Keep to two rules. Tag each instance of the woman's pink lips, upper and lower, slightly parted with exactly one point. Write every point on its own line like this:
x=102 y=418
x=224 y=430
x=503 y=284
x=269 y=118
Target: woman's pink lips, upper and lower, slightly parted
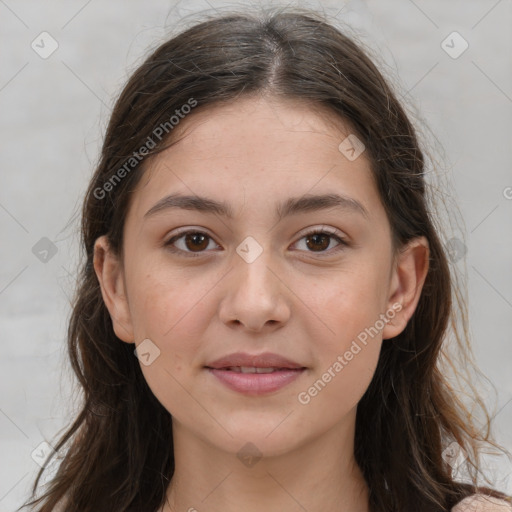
x=255 y=374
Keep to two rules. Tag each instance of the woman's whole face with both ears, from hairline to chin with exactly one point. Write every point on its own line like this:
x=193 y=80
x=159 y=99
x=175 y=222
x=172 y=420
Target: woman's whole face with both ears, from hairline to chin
x=204 y=283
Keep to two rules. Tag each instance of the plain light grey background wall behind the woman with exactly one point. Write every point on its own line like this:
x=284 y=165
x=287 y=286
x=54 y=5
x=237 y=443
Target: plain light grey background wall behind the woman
x=53 y=113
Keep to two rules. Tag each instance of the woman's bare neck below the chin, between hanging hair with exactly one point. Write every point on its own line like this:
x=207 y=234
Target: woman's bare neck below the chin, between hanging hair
x=320 y=475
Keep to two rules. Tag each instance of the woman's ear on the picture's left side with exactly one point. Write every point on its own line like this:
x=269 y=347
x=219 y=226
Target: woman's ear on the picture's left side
x=109 y=271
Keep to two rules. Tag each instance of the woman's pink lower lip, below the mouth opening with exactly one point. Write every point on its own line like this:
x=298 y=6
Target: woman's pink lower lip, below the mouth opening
x=256 y=383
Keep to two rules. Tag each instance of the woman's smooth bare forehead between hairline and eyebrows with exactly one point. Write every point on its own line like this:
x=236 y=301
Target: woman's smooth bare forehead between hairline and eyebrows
x=259 y=151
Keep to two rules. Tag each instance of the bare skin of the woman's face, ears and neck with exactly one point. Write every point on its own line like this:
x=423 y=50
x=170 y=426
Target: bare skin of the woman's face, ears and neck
x=306 y=300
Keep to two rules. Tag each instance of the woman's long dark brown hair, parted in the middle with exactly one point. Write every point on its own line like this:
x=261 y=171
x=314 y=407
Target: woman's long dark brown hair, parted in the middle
x=118 y=450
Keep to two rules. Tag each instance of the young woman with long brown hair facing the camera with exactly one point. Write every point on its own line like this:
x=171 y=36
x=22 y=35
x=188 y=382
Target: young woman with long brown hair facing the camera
x=260 y=315
